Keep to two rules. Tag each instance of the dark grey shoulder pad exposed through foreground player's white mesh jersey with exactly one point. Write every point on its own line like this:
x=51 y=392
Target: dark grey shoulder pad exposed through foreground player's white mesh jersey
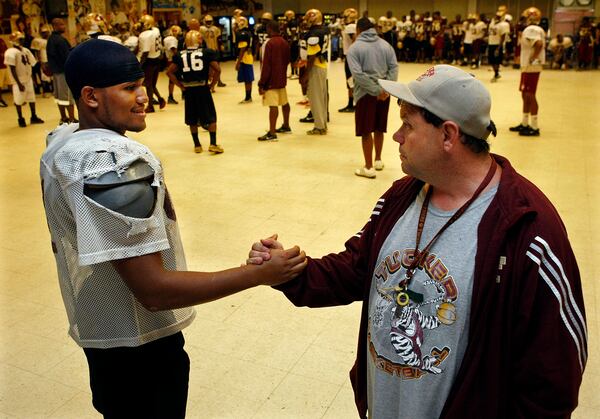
x=130 y=193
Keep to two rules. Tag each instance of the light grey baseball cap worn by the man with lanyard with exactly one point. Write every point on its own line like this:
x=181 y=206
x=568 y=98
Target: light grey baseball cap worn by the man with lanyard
x=452 y=95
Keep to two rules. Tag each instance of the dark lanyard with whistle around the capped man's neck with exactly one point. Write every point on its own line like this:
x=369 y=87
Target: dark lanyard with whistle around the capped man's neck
x=402 y=298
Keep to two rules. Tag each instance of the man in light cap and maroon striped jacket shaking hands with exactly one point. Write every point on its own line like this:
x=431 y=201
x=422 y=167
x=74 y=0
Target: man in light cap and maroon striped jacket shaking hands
x=472 y=300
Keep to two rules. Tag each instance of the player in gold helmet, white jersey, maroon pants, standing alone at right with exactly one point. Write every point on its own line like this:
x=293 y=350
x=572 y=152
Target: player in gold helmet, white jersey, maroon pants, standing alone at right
x=532 y=60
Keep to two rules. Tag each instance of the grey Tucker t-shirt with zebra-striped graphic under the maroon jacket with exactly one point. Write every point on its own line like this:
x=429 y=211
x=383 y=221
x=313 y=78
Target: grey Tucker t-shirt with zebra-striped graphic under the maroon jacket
x=415 y=351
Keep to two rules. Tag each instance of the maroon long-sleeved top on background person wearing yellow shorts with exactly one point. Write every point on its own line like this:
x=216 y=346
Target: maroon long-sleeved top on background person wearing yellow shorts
x=273 y=74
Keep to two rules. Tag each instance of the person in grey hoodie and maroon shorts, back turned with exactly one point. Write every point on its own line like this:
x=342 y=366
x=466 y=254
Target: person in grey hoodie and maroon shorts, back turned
x=371 y=58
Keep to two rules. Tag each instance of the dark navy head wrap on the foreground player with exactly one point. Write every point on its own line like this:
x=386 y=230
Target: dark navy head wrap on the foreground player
x=100 y=63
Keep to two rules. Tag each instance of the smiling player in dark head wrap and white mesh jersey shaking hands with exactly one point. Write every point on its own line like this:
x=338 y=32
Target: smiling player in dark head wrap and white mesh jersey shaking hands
x=116 y=242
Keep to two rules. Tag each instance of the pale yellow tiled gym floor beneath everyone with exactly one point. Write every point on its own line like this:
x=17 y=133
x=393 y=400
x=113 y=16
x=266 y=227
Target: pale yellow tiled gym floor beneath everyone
x=253 y=354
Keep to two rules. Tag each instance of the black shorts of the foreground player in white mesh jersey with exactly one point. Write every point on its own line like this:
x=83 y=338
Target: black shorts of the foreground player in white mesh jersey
x=148 y=381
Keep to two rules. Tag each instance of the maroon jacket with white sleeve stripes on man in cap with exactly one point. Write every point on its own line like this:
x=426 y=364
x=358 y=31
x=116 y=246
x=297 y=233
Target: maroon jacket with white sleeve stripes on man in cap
x=527 y=335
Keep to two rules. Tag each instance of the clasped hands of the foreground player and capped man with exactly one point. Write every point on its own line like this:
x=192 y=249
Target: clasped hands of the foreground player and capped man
x=278 y=265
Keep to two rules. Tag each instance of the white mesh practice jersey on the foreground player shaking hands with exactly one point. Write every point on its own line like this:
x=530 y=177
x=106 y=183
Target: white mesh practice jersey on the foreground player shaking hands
x=86 y=237
